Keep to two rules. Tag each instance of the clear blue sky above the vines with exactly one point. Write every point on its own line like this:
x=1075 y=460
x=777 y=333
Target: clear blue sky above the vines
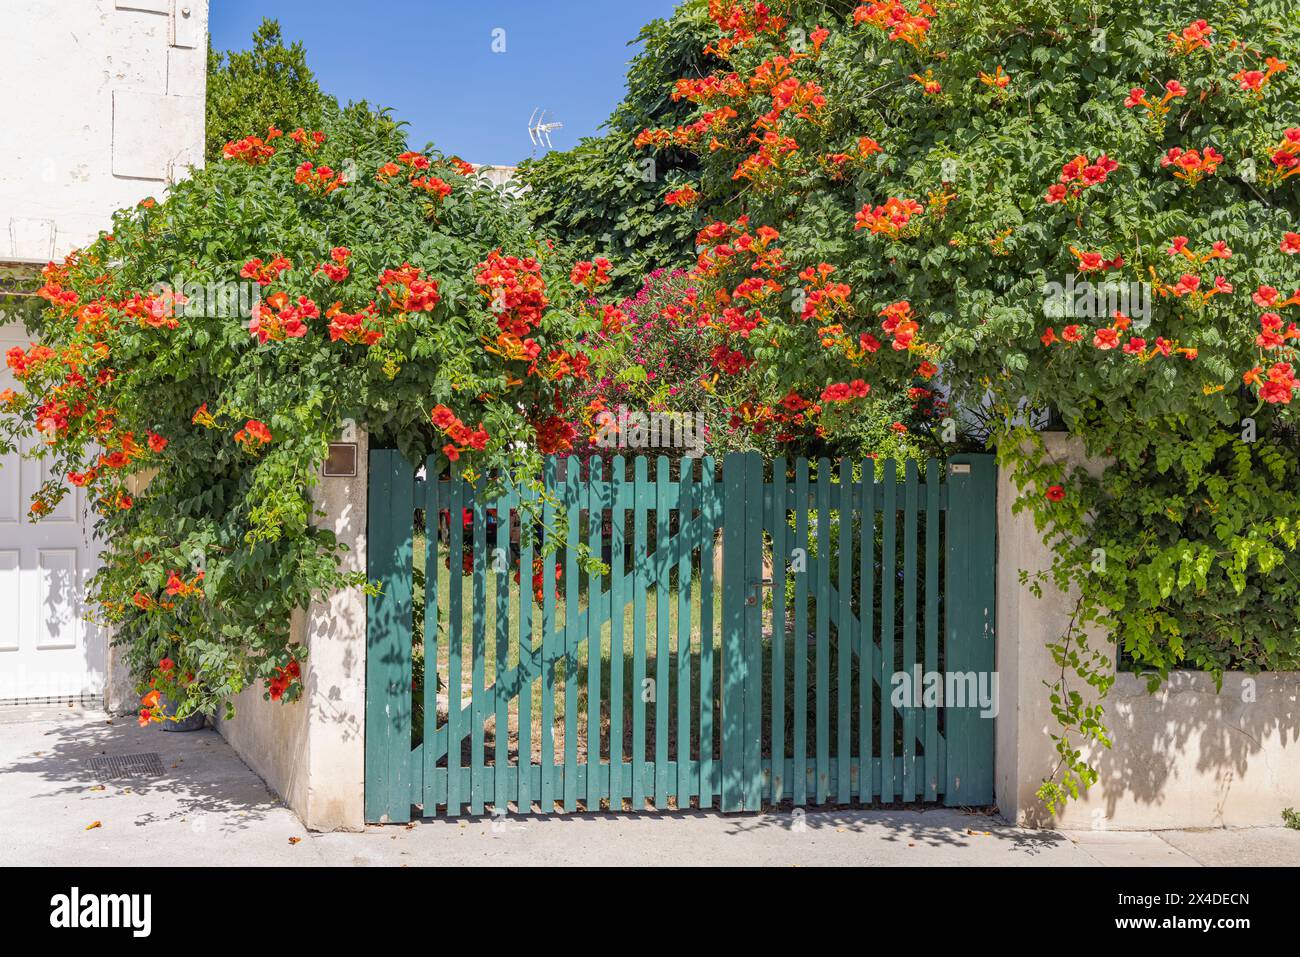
x=432 y=62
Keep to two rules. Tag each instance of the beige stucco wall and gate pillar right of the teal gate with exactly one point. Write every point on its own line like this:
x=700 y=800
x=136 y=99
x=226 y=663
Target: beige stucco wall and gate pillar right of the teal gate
x=1185 y=757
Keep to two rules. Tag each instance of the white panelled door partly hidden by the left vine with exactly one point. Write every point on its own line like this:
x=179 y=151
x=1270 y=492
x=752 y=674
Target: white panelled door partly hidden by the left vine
x=47 y=649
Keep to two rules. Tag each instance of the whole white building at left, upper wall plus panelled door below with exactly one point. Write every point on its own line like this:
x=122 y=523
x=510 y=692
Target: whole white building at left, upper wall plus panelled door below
x=102 y=105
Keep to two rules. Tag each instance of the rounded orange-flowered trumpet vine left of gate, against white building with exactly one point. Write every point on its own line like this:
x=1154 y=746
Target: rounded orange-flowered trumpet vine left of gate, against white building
x=196 y=362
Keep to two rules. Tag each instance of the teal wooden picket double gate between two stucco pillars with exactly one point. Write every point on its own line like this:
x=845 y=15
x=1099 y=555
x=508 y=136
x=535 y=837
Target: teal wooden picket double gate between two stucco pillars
x=723 y=639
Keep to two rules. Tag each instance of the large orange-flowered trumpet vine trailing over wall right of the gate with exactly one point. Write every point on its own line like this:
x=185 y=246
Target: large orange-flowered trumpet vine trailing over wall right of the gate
x=1080 y=209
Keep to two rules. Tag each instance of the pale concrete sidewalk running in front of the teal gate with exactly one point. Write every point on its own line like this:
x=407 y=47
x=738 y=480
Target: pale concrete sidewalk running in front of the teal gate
x=209 y=809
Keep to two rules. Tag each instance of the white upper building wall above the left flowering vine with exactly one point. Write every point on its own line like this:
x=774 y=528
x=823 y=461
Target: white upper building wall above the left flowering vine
x=102 y=105
